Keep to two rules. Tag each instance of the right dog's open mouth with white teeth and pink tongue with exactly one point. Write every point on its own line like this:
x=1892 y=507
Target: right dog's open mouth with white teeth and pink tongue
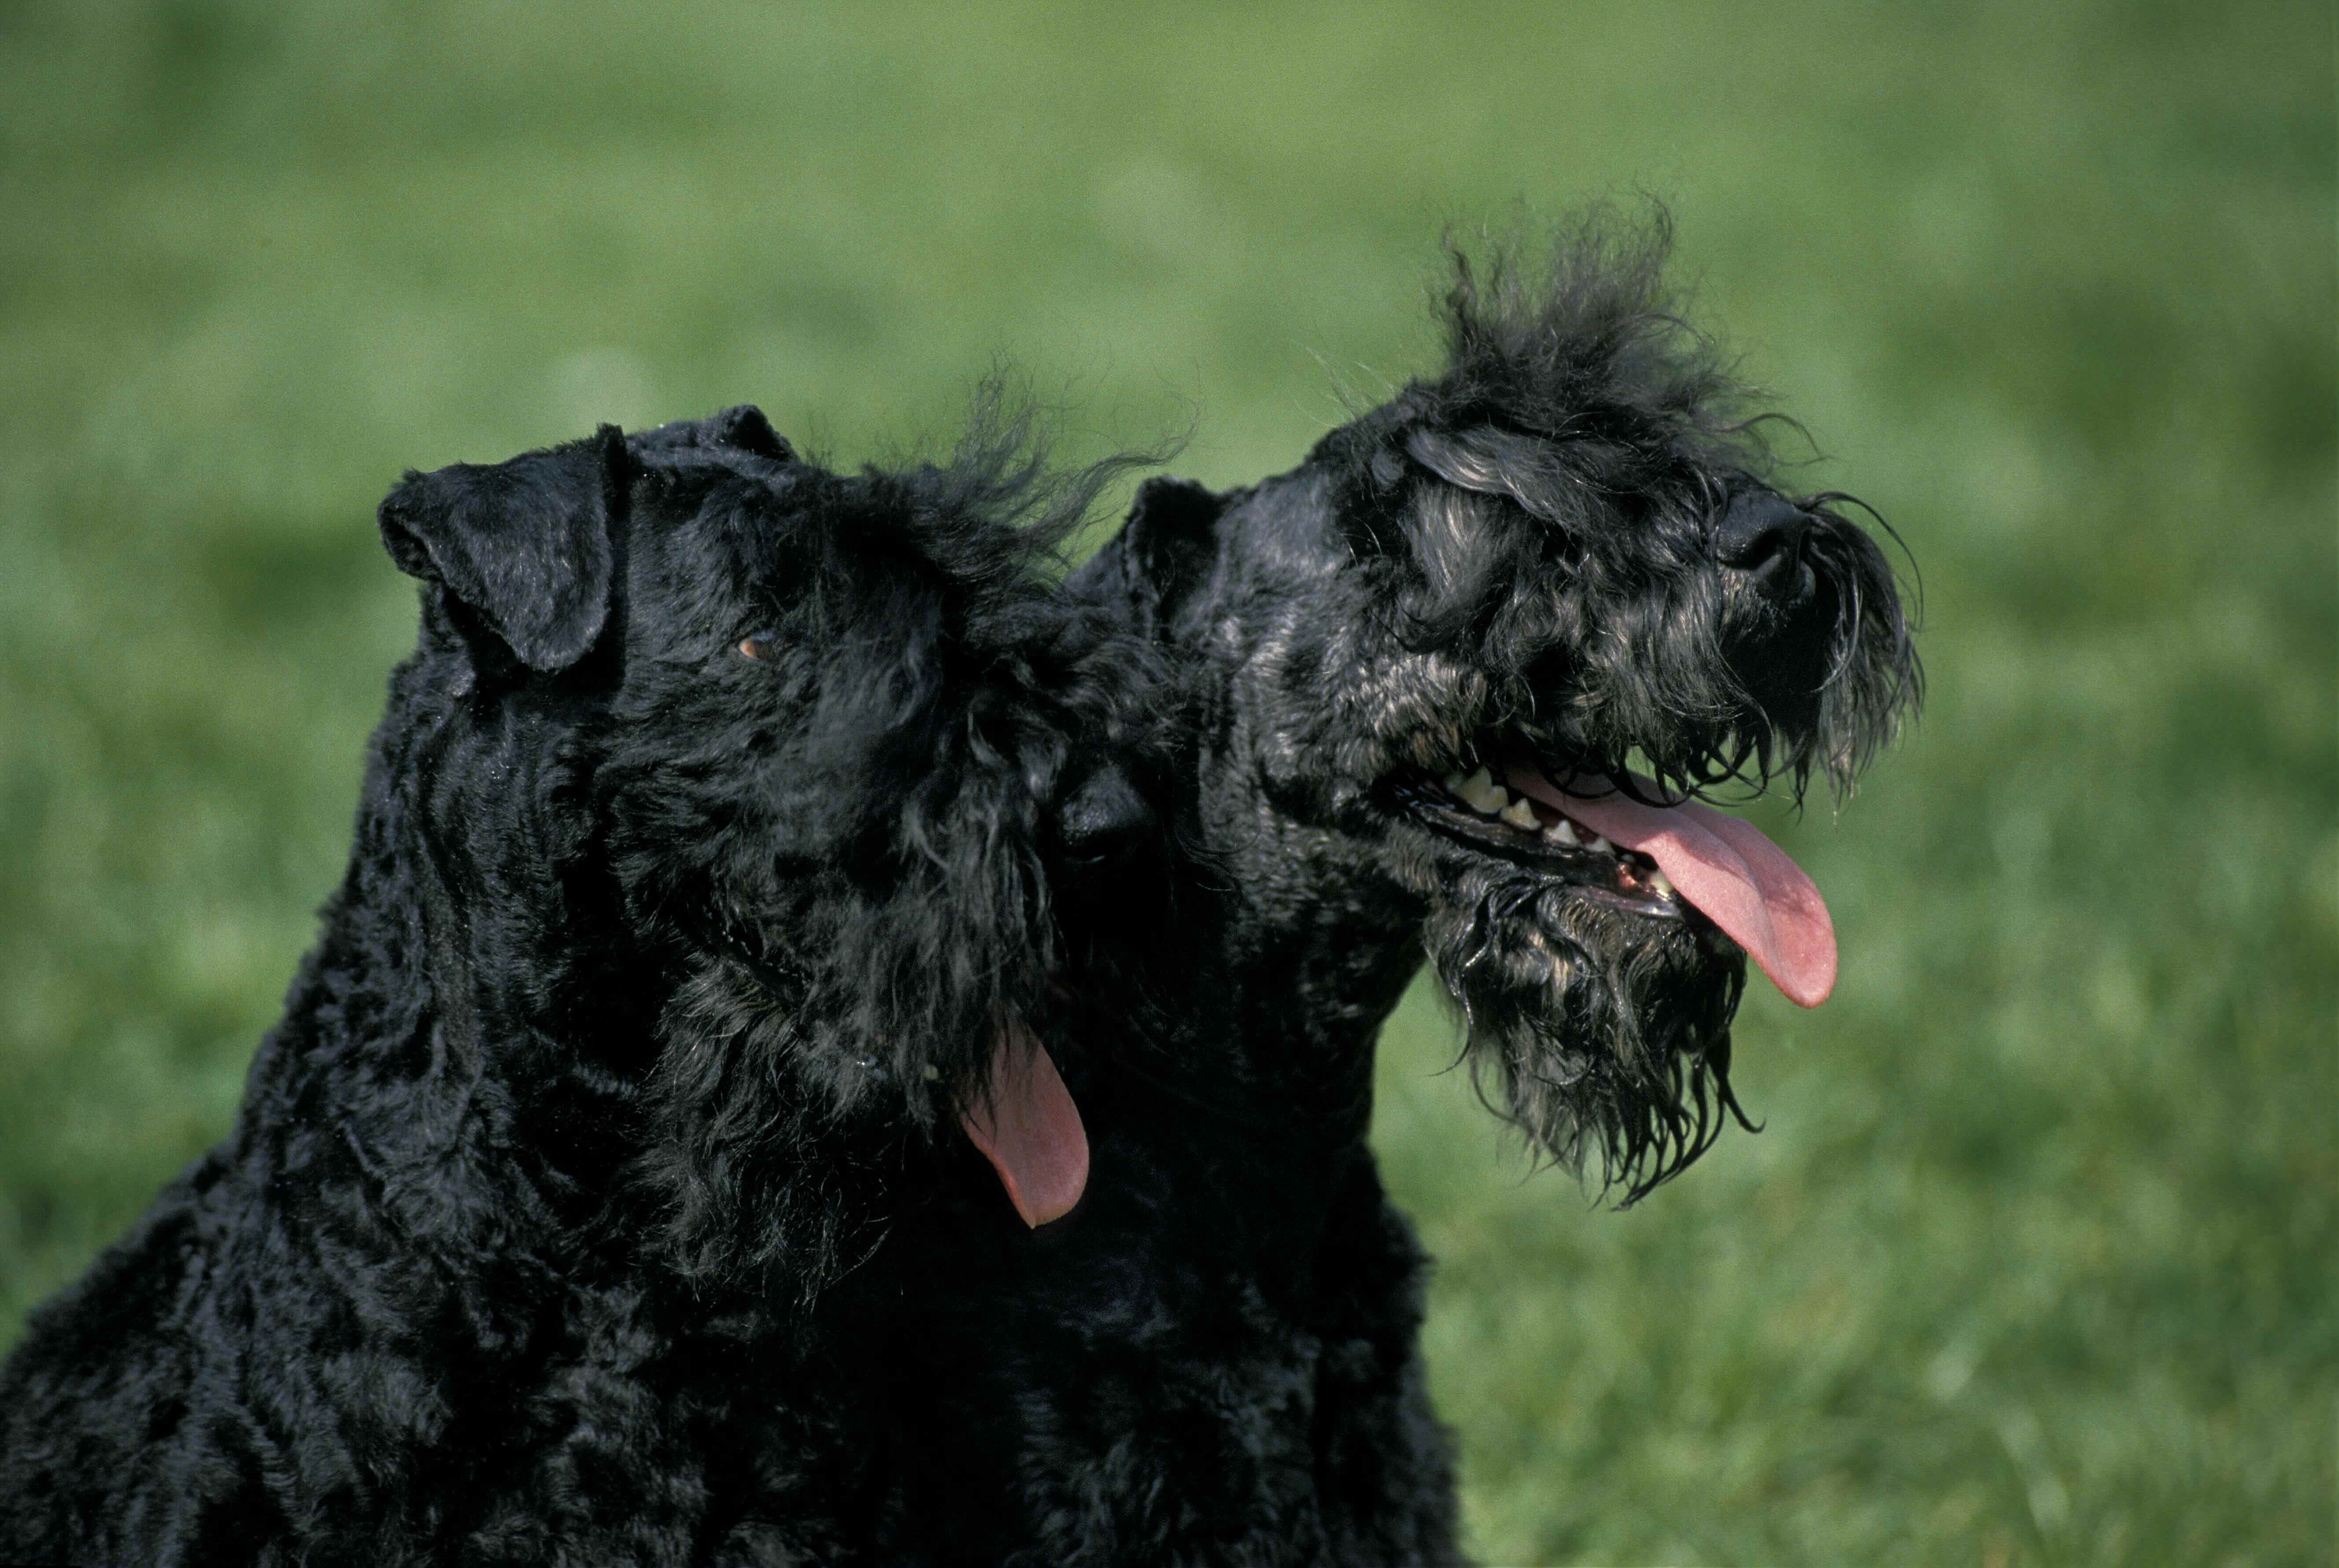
x=1650 y=860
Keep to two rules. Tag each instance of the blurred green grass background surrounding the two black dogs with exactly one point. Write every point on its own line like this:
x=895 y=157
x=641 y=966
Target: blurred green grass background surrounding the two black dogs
x=2038 y=1260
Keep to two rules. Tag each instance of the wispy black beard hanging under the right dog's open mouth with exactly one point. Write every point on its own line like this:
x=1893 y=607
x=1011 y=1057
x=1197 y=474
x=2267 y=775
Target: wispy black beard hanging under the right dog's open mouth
x=1601 y=1036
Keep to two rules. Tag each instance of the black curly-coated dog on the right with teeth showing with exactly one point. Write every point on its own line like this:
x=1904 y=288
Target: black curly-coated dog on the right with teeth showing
x=1451 y=687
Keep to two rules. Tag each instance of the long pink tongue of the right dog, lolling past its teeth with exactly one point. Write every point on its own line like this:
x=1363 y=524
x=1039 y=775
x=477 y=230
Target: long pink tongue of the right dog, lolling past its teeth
x=1744 y=883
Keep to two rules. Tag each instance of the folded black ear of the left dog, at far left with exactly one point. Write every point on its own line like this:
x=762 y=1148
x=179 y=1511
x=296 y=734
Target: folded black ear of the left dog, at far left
x=523 y=544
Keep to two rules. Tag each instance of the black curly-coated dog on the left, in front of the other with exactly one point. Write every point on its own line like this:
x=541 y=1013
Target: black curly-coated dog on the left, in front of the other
x=712 y=853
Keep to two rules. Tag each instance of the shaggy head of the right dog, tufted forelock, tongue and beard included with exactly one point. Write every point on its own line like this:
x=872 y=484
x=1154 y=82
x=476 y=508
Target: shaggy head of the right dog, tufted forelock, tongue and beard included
x=1489 y=645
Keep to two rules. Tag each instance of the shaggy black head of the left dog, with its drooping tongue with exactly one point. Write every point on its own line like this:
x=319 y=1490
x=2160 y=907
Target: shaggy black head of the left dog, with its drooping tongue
x=792 y=773
